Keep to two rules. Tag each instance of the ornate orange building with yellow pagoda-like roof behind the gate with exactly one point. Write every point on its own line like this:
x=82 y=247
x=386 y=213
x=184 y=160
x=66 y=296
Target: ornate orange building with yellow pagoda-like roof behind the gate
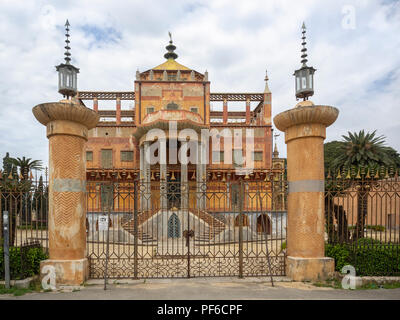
x=173 y=108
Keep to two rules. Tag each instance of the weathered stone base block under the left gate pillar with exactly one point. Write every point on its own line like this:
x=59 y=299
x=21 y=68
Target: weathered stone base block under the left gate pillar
x=68 y=272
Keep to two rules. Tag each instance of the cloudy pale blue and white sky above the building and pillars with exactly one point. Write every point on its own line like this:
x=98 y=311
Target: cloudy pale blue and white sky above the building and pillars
x=354 y=45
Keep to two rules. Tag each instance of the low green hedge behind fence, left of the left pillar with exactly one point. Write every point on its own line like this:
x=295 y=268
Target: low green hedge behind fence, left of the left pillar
x=23 y=264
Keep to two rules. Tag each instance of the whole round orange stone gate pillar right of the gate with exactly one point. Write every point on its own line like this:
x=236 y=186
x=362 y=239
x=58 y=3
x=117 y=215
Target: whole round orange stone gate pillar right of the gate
x=305 y=131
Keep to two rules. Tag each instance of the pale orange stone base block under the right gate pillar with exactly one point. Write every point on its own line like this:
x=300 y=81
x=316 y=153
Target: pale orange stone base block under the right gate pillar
x=309 y=269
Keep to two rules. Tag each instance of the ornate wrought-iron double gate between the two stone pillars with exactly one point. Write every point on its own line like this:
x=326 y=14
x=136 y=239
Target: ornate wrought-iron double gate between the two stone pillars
x=235 y=228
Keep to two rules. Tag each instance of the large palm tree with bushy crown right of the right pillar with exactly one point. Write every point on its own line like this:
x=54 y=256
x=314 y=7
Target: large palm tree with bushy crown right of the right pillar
x=363 y=152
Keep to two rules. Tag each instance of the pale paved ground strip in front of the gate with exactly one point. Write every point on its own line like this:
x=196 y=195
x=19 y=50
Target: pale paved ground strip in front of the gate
x=208 y=289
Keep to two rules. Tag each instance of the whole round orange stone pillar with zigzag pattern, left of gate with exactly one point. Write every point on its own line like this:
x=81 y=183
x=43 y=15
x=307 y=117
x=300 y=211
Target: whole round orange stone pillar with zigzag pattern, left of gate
x=67 y=125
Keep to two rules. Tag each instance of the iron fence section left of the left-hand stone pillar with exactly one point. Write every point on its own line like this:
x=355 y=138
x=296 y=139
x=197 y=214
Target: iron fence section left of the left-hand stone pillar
x=26 y=202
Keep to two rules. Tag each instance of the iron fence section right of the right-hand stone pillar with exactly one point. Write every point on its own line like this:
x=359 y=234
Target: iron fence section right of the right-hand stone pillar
x=363 y=215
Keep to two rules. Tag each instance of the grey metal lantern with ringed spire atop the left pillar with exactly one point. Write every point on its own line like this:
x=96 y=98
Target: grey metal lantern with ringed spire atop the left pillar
x=67 y=73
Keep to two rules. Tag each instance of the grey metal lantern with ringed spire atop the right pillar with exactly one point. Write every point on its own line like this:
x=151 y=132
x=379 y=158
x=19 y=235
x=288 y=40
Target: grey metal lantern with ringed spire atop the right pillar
x=304 y=77
